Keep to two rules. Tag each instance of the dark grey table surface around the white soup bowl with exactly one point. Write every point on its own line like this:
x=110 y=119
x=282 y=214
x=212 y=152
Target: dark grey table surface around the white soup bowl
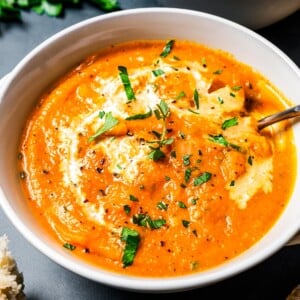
x=45 y=280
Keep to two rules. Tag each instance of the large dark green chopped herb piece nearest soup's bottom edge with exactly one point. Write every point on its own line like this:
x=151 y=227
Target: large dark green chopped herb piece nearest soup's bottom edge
x=132 y=239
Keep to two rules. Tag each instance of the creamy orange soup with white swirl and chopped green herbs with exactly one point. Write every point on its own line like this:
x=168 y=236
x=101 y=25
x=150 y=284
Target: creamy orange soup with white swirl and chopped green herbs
x=146 y=159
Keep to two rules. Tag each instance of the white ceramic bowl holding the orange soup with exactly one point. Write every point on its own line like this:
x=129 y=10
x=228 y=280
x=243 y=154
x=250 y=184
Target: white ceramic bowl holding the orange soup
x=57 y=55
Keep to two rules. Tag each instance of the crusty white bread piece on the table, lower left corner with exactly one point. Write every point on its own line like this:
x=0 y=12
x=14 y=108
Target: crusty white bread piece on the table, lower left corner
x=11 y=281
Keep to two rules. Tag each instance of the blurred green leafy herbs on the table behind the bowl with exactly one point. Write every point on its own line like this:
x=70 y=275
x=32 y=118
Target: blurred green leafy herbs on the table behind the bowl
x=10 y=10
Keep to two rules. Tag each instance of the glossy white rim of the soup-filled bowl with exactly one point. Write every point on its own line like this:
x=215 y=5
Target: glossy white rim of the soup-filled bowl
x=145 y=284
